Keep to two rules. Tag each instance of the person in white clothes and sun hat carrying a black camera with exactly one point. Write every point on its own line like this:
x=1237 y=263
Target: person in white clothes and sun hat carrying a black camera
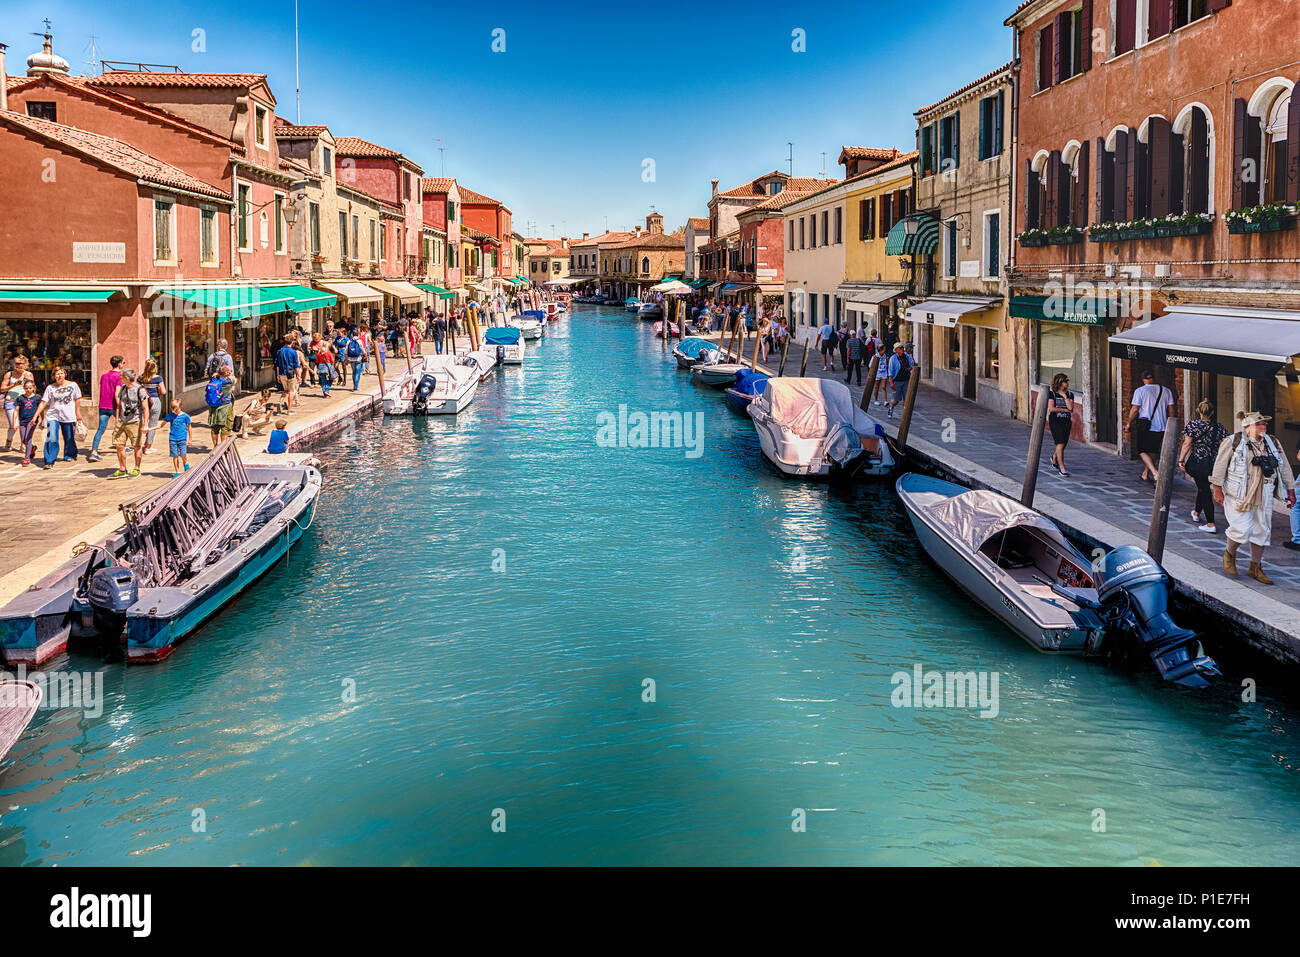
x=1250 y=473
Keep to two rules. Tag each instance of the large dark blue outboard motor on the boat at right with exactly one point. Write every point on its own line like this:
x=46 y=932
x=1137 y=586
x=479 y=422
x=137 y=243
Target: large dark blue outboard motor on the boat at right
x=1134 y=594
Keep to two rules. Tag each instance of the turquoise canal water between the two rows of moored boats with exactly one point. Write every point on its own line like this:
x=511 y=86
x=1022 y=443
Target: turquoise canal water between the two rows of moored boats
x=770 y=616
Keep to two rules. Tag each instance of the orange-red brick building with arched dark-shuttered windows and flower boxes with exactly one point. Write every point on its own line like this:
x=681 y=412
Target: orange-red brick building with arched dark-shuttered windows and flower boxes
x=1150 y=135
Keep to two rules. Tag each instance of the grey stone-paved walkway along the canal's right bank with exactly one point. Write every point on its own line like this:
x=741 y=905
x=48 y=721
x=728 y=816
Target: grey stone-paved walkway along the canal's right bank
x=1100 y=483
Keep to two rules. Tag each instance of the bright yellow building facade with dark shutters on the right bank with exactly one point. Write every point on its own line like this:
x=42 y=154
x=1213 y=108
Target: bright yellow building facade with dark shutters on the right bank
x=874 y=283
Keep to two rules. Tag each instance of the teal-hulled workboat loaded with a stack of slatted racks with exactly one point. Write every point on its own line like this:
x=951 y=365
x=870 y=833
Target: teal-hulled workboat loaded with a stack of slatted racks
x=188 y=549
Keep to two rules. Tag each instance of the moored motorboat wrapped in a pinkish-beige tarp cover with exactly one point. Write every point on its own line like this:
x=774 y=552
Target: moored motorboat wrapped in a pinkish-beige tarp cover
x=812 y=428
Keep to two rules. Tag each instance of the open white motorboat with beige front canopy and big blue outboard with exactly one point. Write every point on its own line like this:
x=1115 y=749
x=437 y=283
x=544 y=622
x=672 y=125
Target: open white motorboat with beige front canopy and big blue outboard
x=1019 y=565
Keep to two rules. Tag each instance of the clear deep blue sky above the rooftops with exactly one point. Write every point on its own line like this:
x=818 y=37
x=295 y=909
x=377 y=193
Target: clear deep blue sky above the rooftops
x=584 y=116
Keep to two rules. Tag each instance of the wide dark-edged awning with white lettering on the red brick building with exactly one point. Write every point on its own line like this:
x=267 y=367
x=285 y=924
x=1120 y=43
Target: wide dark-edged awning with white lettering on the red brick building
x=1247 y=344
